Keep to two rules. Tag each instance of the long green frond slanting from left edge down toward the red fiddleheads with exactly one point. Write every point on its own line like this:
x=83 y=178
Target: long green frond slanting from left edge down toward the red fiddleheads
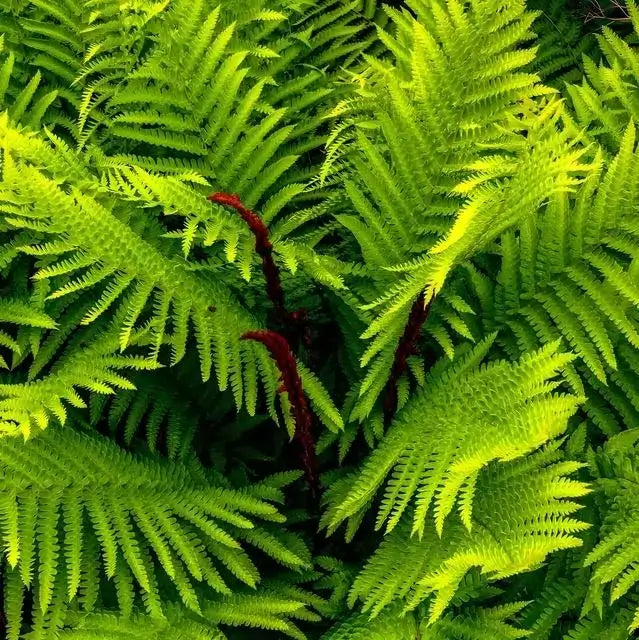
x=129 y=269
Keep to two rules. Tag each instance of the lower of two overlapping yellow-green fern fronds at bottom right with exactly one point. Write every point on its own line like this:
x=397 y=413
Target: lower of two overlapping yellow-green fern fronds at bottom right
x=506 y=538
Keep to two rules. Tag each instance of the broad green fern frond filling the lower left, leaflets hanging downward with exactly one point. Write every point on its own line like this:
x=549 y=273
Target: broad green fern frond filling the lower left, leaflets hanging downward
x=129 y=505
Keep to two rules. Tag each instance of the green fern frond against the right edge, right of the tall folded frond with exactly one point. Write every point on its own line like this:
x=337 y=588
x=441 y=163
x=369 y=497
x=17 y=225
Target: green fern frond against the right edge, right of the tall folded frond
x=572 y=275
